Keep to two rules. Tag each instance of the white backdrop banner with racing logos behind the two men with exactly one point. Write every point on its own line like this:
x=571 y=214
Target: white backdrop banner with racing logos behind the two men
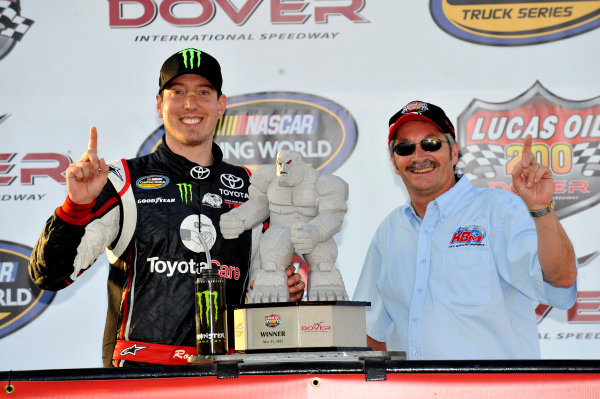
x=321 y=77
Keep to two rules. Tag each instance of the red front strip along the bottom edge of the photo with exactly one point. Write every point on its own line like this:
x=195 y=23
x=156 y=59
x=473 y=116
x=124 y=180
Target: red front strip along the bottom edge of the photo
x=328 y=386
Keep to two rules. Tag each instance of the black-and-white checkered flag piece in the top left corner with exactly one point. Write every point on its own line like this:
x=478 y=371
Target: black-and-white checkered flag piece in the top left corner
x=12 y=25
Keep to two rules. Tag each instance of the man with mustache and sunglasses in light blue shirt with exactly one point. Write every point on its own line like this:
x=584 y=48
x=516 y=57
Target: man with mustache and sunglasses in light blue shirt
x=457 y=271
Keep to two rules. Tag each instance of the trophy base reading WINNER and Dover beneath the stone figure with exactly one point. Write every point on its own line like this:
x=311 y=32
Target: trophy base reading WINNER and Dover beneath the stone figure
x=300 y=326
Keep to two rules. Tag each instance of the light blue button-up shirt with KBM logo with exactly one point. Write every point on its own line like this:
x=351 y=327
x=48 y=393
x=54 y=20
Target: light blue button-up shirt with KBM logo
x=462 y=283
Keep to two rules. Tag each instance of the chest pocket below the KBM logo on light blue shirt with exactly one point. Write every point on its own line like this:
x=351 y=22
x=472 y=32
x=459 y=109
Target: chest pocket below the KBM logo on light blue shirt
x=464 y=278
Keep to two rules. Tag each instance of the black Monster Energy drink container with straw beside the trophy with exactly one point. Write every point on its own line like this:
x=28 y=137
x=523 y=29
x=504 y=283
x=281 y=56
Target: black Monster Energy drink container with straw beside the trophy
x=211 y=314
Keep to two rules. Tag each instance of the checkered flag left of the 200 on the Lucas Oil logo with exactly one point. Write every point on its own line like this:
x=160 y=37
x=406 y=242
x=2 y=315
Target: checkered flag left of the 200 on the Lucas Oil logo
x=481 y=161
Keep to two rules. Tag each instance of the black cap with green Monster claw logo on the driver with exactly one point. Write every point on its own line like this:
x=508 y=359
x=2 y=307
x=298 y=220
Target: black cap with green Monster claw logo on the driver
x=193 y=61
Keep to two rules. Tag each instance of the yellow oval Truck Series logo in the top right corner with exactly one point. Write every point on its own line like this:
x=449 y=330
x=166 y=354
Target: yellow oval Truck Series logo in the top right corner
x=513 y=22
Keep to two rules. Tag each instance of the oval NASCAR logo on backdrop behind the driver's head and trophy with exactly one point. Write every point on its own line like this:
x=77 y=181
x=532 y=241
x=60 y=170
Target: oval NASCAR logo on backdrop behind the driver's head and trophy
x=256 y=127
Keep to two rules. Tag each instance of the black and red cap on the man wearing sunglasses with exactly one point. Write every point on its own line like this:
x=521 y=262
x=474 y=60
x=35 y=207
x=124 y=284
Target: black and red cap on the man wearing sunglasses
x=421 y=111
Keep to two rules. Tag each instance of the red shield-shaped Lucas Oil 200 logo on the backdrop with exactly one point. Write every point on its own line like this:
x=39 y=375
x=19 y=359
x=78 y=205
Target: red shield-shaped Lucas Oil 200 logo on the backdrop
x=566 y=139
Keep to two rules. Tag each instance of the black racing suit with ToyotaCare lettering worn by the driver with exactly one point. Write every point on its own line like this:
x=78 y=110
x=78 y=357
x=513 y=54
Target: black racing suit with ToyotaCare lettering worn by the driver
x=148 y=217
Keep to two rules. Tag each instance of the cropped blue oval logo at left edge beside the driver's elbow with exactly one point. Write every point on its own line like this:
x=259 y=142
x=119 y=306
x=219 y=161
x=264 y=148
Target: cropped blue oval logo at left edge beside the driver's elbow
x=21 y=301
